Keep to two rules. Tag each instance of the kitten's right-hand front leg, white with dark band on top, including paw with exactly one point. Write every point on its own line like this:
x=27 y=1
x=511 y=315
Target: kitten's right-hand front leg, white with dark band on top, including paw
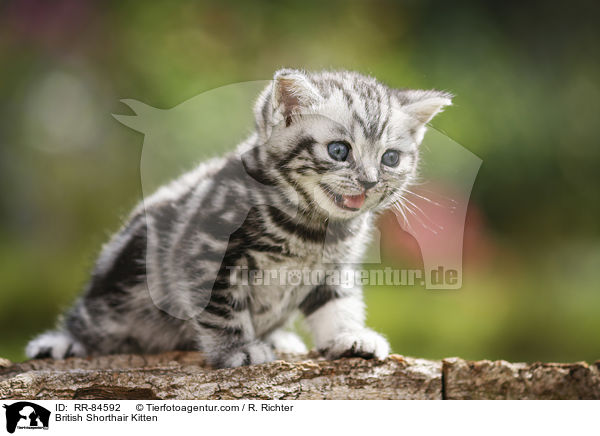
x=336 y=319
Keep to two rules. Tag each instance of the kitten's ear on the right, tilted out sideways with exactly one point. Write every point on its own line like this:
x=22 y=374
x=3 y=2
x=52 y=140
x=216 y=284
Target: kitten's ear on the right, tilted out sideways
x=422 y=106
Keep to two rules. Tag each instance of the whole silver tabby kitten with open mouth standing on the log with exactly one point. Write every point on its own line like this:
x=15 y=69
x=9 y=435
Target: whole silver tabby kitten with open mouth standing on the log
x=330 y=150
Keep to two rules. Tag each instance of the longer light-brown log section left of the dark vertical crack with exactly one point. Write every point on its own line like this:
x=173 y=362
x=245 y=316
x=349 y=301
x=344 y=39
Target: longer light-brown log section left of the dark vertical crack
x=183 y=375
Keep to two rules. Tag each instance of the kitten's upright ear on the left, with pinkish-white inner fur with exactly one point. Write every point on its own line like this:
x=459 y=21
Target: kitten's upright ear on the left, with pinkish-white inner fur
x=292 y=92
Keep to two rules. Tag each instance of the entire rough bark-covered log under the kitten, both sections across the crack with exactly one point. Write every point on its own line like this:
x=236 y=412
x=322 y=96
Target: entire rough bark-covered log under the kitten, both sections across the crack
x=183 y=375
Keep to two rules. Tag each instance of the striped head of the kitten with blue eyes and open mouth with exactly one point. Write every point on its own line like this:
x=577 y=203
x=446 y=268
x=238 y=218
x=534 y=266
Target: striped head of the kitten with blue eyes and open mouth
x=343 y=142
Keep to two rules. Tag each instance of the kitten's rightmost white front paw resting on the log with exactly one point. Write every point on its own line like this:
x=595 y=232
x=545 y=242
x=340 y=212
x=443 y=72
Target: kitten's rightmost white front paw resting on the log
x=363 y=343
